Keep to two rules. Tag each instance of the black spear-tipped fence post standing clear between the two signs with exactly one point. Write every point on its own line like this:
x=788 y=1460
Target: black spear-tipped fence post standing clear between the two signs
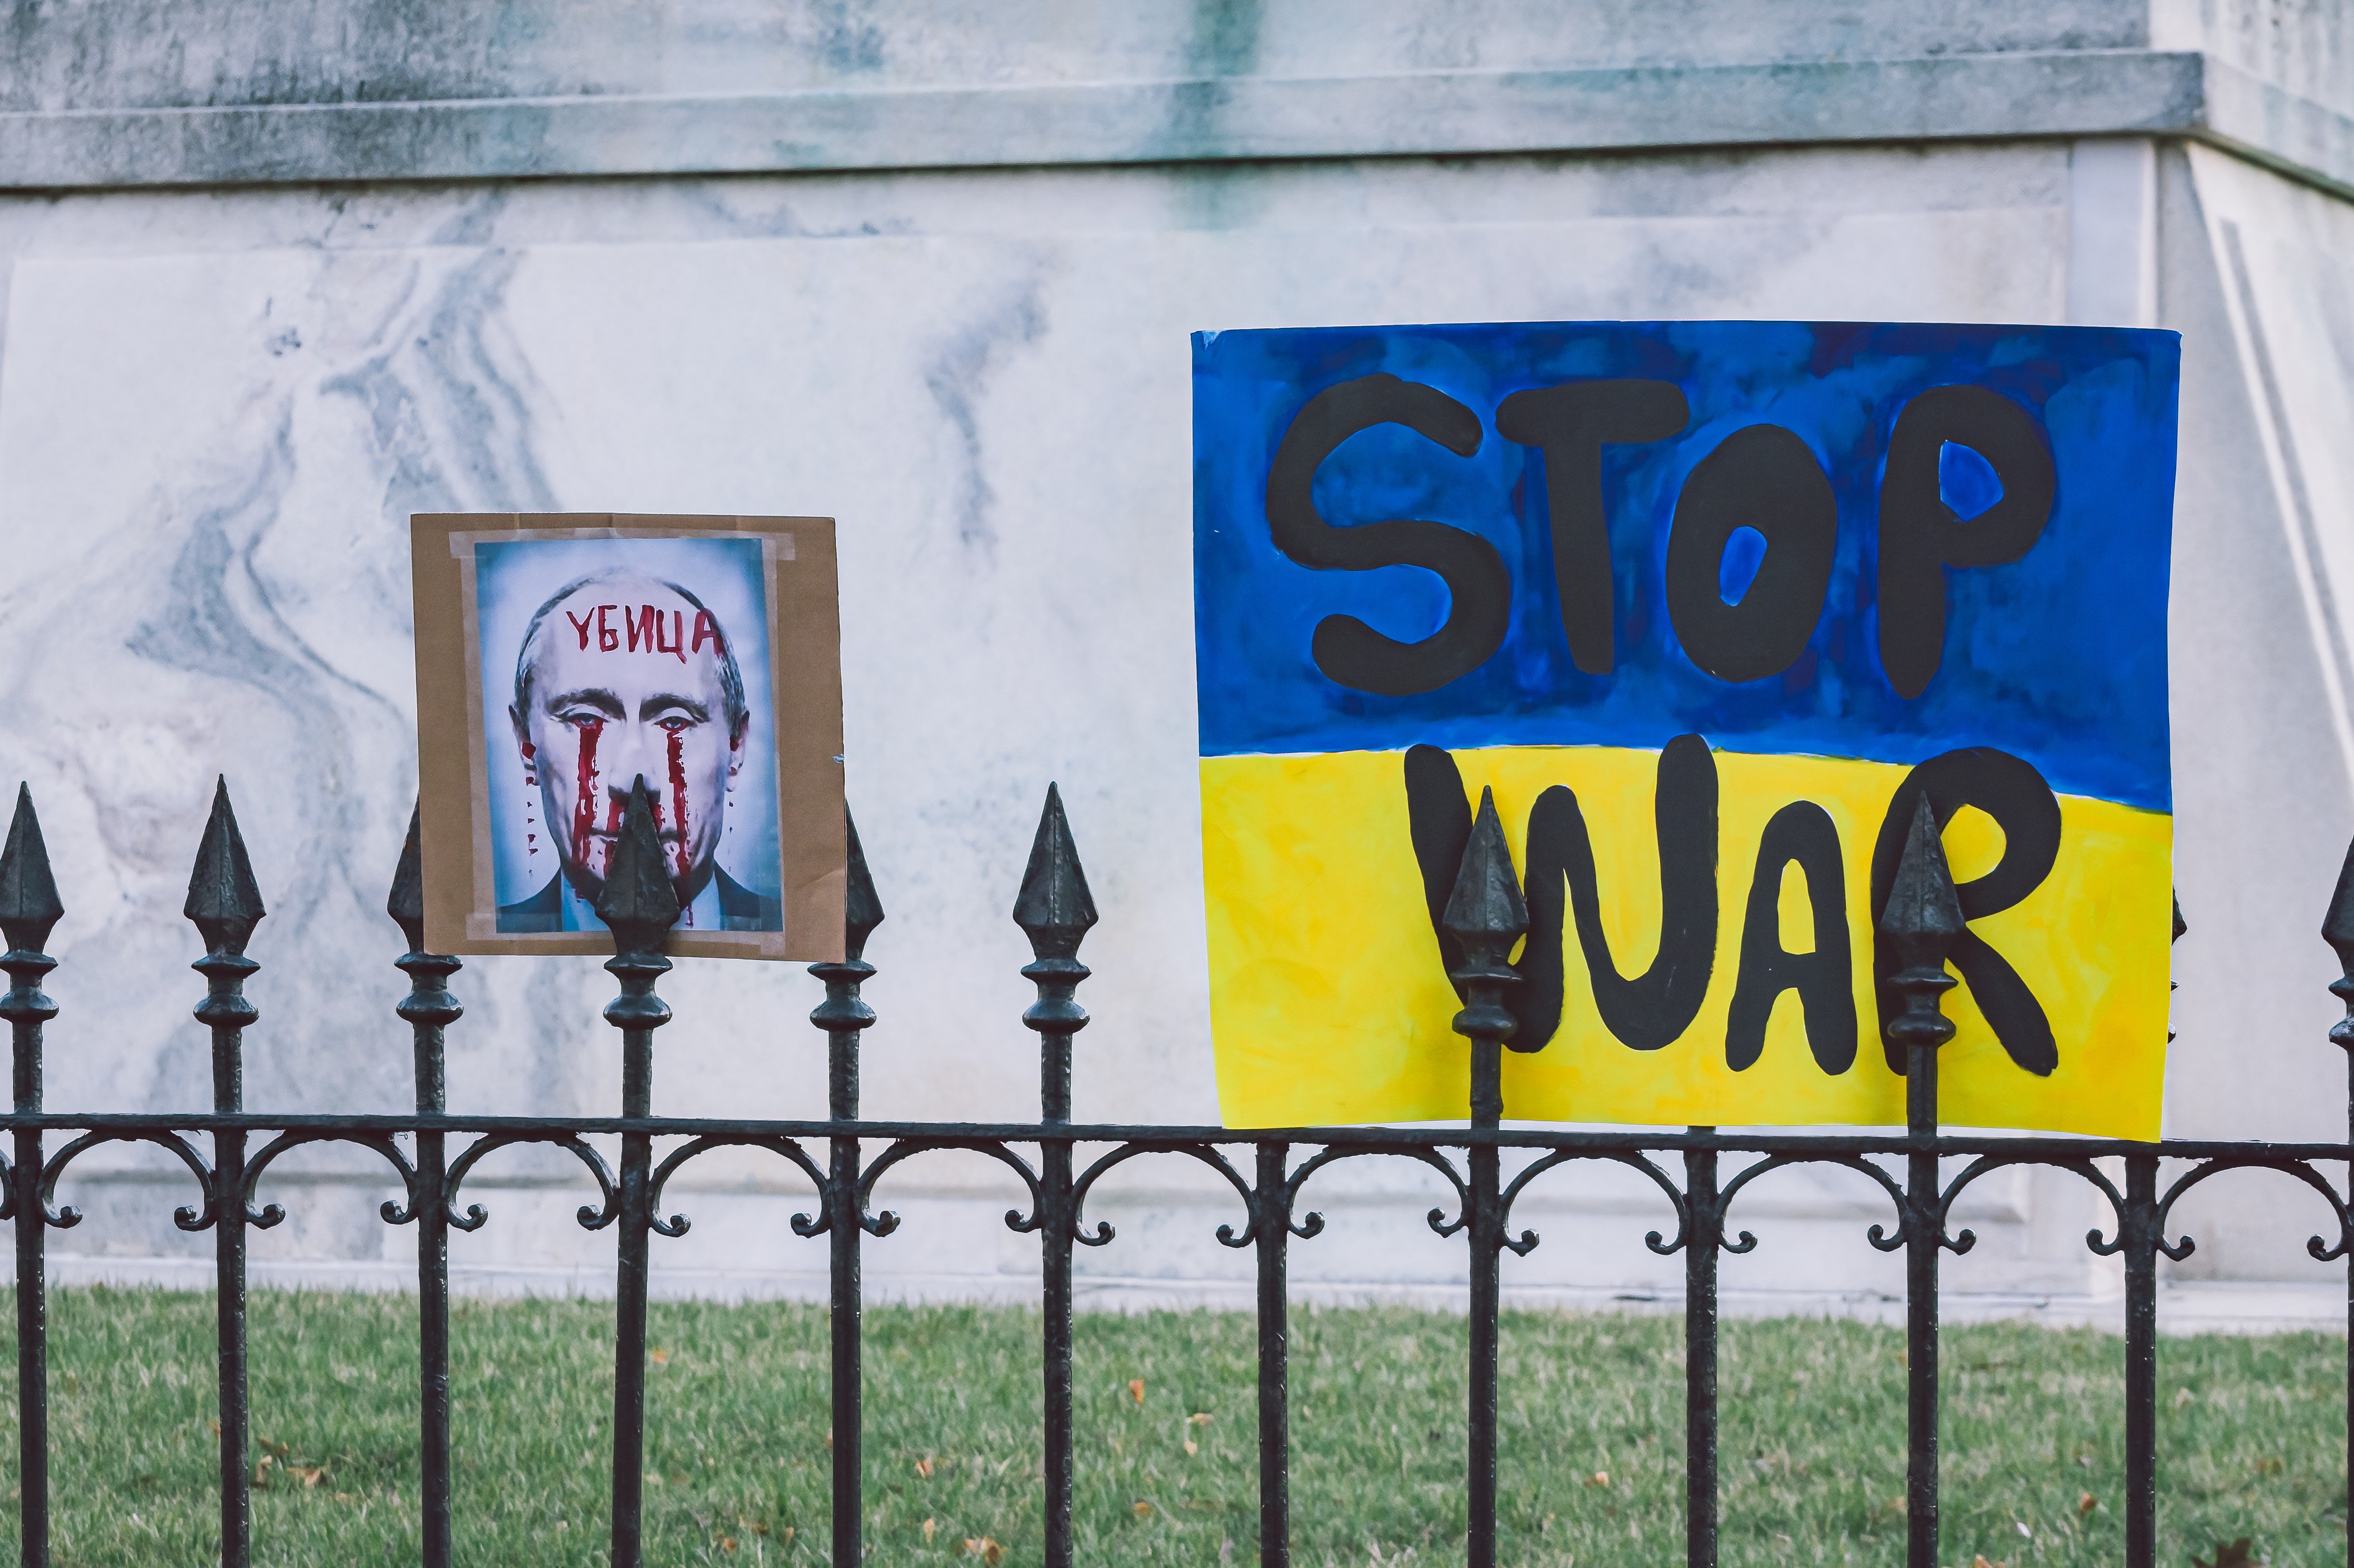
x=1056 y=912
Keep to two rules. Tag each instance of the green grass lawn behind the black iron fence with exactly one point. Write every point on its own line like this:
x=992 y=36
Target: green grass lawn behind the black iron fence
x=1814 y=1437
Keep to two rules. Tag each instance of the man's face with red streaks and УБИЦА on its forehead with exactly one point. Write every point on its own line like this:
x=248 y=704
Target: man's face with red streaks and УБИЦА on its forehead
x=625 y=686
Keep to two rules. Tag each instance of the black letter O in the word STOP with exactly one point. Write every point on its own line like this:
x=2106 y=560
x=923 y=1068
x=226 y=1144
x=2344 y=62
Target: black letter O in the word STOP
x=1760 y=477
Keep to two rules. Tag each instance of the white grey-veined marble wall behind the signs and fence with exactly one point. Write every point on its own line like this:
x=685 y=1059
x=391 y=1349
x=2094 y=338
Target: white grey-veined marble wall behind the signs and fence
x=220 y=408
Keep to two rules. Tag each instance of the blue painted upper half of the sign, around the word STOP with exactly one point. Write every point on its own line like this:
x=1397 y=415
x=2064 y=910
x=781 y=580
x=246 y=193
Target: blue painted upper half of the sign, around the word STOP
x=2059 y=658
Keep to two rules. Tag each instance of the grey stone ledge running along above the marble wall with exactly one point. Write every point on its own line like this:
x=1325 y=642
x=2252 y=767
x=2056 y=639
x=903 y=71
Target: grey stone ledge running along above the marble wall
x=1185 y=121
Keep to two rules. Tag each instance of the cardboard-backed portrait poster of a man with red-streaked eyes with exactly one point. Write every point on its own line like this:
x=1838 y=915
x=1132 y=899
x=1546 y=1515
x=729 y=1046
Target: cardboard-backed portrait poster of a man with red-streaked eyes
x=583 y=656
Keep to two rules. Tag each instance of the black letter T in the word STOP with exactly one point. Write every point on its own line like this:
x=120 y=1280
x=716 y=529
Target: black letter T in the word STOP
x=1571 y=425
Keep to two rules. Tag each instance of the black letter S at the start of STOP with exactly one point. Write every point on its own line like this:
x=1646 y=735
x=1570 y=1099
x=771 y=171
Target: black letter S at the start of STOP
x=1479 y=585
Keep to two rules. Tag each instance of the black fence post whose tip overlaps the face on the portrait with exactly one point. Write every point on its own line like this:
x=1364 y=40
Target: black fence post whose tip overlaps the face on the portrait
x=641 y=908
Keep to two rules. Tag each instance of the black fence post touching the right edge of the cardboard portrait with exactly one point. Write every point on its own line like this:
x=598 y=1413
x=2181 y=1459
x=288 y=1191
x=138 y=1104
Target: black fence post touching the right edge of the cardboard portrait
x=844 y=1016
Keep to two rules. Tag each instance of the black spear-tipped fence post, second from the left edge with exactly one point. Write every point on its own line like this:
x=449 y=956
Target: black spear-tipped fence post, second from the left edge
x=225 y=905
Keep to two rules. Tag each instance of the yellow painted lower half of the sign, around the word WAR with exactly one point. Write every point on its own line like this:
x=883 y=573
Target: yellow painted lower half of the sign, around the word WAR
x=1331 y=1006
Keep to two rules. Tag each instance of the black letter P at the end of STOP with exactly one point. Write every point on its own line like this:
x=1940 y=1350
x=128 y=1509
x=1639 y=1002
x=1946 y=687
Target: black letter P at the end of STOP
x=1922 y=536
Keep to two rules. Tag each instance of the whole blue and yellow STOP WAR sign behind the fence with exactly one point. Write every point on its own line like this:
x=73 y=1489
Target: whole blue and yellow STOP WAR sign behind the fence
x=1710 y=606
